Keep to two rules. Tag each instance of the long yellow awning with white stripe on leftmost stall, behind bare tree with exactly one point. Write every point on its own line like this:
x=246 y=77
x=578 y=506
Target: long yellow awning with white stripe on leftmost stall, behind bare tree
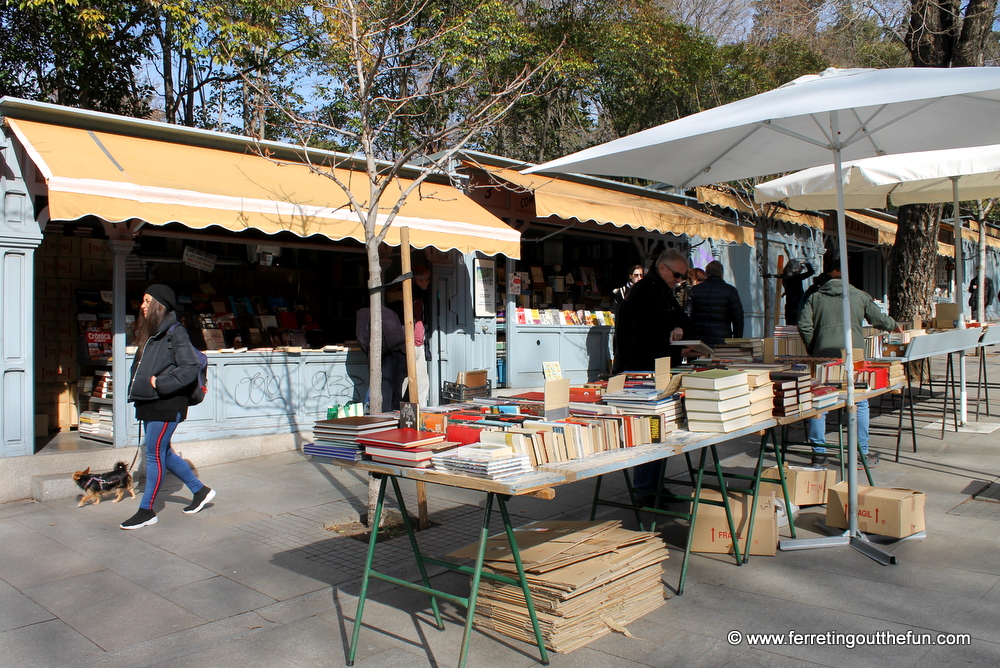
x=119 y=178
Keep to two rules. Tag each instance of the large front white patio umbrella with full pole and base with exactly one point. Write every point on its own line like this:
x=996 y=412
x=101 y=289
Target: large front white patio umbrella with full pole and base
x=837 y=114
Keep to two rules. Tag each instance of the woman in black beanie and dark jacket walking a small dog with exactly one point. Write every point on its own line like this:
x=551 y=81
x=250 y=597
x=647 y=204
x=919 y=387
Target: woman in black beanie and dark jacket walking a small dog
x=163 y=372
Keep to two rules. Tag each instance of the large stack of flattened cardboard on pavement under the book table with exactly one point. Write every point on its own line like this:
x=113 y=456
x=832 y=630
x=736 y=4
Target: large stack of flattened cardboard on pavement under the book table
x=586 y=579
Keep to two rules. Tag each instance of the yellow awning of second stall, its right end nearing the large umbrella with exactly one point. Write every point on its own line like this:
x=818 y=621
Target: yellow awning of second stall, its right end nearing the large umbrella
x=568 y=199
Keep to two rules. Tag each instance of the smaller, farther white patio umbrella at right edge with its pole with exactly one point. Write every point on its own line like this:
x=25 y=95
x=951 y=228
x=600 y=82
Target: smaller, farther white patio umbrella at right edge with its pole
x=893 y=180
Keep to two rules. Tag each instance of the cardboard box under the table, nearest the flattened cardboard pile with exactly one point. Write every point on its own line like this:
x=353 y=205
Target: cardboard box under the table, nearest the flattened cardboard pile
x=711 y=531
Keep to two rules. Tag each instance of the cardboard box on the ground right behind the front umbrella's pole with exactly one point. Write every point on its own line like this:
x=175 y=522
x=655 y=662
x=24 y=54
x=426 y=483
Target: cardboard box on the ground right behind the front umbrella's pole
x=894 y=512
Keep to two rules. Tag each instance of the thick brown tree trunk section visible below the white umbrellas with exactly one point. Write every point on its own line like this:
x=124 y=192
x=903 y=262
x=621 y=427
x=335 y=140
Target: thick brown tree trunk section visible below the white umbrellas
x=912 y=261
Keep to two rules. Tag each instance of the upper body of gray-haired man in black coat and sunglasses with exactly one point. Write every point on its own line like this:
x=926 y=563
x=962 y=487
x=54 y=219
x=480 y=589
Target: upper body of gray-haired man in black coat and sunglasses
x=650 y=319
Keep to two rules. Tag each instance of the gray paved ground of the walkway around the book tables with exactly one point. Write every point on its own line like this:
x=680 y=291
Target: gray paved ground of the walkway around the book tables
x=256 y=580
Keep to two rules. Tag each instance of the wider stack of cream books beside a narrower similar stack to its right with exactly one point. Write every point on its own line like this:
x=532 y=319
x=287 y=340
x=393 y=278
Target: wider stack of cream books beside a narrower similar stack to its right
x=717 y=400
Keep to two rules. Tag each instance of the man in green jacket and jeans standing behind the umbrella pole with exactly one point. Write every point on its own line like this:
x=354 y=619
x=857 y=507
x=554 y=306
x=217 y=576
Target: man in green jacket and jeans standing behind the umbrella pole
x=822 y=330
